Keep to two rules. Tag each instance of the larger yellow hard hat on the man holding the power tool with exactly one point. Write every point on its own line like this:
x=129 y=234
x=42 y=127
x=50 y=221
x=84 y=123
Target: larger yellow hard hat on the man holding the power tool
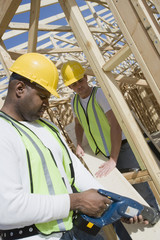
x=39 y=69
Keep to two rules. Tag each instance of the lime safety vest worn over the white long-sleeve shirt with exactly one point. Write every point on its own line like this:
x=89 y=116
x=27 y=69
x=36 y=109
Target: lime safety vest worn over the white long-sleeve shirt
x=45 y=177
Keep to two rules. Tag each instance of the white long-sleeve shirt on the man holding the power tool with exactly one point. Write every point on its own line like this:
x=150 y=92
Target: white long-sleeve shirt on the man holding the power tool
x=18 y=207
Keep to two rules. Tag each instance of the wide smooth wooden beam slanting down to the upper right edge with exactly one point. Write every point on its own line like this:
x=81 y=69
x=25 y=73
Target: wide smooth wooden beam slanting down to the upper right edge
x=136 y=35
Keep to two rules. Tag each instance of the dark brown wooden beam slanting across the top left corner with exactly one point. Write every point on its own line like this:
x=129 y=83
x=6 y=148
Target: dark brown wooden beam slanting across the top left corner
x=8 y=9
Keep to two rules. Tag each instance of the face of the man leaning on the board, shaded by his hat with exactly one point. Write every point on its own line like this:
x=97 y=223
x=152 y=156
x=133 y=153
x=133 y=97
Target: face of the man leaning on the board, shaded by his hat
x=81 y=87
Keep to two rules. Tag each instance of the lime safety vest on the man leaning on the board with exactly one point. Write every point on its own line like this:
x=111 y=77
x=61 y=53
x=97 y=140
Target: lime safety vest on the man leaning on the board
x=94 y=123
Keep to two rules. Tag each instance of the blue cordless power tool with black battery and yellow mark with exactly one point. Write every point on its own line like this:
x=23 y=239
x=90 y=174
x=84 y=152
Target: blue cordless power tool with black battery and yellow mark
x=120 y=207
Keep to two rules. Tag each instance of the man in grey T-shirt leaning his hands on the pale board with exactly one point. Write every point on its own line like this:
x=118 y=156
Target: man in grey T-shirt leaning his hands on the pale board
x=94 y=117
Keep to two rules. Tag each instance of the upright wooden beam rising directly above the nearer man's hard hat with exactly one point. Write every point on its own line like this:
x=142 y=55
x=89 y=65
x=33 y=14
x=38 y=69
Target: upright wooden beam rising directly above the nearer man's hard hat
x=33 y=25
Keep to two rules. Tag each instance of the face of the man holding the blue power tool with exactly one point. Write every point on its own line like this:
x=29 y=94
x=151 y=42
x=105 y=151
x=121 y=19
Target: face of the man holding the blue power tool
x=33 y=103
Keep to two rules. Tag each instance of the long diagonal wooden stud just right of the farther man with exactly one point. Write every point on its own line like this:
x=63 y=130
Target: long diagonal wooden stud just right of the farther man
x=114 y=96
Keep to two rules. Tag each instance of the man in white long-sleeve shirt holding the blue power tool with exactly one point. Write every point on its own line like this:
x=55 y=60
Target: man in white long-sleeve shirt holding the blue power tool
x=40 y=177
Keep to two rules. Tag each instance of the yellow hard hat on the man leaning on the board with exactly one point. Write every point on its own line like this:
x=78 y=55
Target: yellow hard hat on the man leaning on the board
x=71 y=72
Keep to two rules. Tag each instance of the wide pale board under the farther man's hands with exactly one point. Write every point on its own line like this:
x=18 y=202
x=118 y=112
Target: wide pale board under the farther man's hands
x=117 y=183
